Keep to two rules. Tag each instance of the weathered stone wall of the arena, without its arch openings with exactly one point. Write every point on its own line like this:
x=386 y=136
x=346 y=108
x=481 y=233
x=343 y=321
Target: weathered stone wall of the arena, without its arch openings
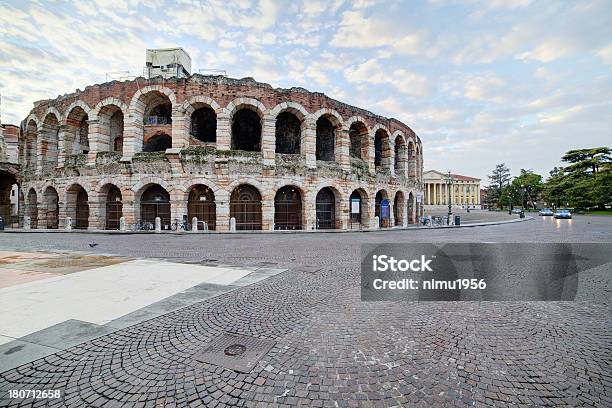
x=191 y=162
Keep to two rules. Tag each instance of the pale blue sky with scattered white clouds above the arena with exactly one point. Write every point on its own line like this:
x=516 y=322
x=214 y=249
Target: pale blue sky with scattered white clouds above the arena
x=481 y=82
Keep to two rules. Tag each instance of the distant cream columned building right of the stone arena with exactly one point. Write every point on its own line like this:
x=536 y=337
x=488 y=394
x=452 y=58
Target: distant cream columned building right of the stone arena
x=464 y=191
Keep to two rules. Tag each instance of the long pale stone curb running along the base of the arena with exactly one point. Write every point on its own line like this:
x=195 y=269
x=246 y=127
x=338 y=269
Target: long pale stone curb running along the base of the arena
x=414 y=227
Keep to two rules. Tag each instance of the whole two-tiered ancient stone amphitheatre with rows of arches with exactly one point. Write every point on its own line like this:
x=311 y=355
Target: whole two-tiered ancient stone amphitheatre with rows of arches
x=214 y=148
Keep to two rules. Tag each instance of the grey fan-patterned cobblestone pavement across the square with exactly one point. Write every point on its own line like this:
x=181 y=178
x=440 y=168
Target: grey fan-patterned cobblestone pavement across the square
x=332 y=349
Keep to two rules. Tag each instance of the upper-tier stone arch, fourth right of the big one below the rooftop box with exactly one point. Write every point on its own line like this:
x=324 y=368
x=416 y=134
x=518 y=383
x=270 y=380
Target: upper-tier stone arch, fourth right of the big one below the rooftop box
x=328 y=134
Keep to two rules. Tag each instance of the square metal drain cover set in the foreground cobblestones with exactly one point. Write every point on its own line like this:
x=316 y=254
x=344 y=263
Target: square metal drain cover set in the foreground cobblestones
x=235 y=351
